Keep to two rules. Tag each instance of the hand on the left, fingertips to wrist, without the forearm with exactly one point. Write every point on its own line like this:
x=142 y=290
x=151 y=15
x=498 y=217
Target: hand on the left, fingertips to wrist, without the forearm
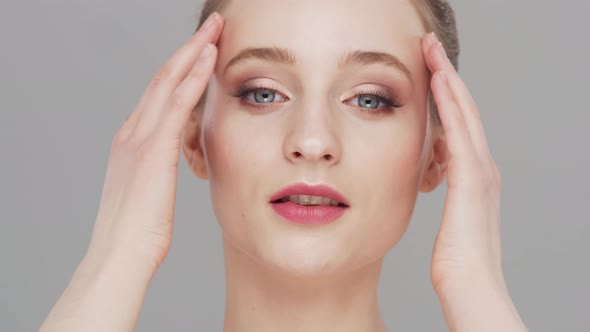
x=136 y=210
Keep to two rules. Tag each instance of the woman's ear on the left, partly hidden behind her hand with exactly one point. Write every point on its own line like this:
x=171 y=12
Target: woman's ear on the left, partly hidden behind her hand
x=192 y=146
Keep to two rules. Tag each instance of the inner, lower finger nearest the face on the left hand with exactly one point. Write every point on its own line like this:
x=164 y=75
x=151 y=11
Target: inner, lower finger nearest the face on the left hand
x=188 y=93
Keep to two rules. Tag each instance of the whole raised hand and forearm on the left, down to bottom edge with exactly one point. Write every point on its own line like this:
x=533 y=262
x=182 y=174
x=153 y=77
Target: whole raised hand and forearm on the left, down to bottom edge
x=133 y=229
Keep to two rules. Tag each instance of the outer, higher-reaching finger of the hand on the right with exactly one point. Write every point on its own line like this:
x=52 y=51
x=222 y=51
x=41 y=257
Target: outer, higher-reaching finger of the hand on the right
x=438 y=60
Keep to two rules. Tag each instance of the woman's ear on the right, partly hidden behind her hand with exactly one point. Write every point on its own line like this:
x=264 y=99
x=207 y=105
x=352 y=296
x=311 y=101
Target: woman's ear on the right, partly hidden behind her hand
x=436 y=167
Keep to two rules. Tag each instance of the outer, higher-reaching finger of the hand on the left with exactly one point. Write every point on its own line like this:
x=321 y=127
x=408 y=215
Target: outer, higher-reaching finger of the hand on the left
x=173 y=72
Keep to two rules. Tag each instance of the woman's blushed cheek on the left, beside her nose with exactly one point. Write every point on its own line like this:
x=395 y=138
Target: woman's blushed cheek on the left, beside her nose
x=237 y=156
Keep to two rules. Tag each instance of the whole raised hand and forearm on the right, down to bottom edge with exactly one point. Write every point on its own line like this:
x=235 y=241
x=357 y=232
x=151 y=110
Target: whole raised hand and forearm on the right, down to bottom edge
x=466 y=268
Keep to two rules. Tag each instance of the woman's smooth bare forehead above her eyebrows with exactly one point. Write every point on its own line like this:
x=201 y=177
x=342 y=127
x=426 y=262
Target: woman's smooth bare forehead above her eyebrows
x=322 y=30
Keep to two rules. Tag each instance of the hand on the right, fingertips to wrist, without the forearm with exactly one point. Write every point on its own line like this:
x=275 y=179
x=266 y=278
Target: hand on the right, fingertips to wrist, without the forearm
x=468 y=247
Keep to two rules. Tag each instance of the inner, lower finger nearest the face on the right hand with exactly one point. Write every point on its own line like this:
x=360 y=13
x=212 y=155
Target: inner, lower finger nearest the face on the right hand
x=458 y=138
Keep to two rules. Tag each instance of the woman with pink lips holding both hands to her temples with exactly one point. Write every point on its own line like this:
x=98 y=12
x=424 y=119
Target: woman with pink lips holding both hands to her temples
x=316 y=133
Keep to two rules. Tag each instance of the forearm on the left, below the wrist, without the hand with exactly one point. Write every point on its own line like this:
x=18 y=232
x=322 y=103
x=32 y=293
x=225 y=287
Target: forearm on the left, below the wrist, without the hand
x=104 y=295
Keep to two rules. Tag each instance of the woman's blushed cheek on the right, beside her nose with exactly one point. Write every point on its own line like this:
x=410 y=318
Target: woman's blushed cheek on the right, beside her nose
x=391 y=169
